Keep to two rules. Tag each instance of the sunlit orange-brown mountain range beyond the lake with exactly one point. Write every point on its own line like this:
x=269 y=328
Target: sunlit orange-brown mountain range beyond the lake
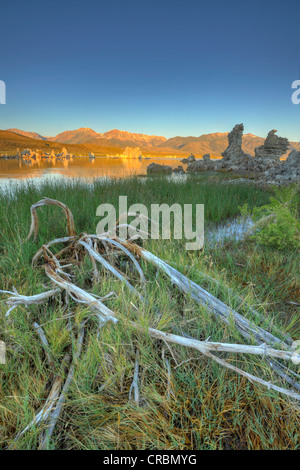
x=214 y=143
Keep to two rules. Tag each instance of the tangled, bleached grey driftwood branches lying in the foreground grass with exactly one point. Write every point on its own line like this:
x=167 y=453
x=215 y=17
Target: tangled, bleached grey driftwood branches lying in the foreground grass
x=101 y=249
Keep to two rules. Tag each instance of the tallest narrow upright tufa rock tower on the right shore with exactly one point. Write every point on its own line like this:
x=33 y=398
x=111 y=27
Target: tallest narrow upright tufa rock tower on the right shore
x=234 y=156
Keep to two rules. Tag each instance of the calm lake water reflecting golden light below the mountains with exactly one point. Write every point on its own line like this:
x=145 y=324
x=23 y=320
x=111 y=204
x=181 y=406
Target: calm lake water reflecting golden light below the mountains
x=80 y=167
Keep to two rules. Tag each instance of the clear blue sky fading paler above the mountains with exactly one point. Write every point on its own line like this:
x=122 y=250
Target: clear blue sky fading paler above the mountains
x=155 y=67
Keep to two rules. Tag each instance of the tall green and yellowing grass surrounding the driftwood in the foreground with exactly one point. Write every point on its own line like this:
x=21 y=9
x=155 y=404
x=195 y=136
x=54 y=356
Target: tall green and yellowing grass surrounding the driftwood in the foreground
x=203 y=406
